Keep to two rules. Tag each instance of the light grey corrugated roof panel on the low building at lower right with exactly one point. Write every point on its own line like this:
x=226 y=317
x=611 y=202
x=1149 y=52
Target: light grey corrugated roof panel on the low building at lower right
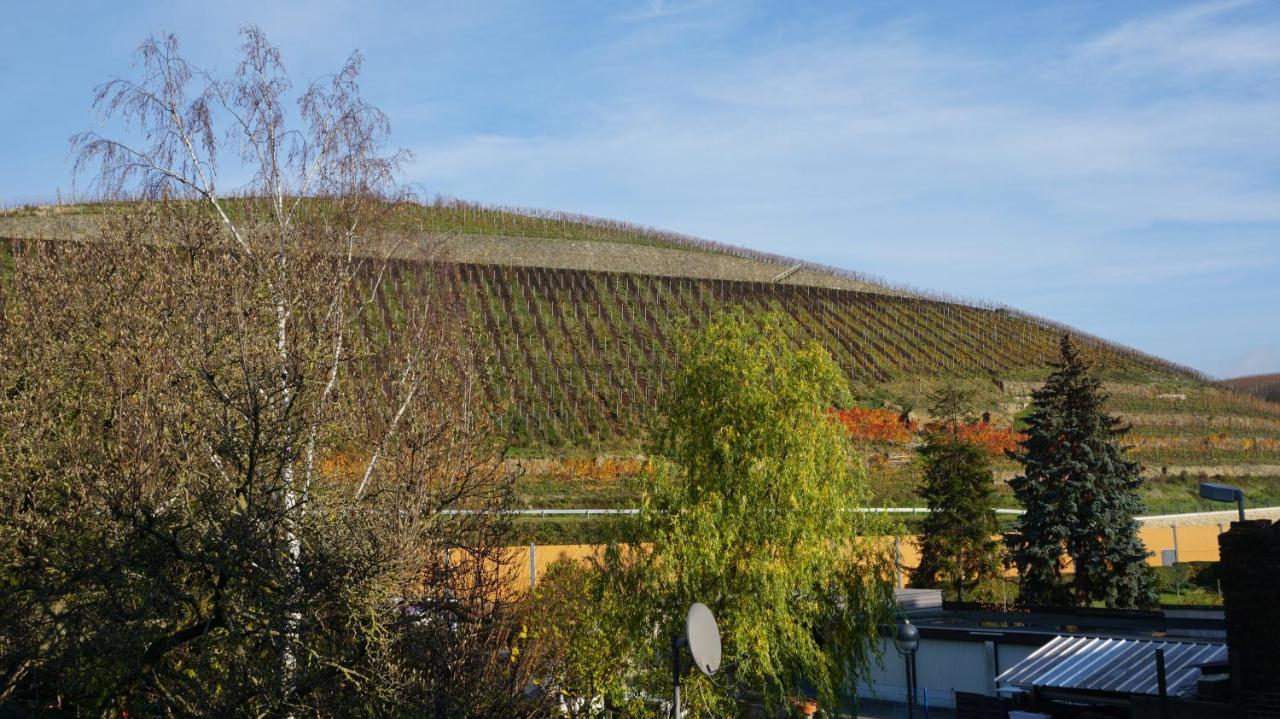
x=1113 y=665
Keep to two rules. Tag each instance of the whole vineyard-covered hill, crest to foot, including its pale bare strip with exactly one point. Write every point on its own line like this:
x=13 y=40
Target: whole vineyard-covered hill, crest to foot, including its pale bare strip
x=575 y=319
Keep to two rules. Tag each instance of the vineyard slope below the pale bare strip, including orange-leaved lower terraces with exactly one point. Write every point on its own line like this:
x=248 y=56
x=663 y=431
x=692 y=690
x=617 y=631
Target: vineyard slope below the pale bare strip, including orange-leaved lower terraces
x=579 y=360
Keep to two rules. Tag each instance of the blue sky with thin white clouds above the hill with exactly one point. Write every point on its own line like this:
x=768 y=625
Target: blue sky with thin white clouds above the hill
x=1113 y=166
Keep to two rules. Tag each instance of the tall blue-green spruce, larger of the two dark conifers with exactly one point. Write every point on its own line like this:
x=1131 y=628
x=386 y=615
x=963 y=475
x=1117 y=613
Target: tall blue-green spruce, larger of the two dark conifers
x=1081 y=496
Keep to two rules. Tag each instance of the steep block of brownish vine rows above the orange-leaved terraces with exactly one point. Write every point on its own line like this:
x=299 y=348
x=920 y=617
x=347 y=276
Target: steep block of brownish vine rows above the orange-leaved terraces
x=579 y=358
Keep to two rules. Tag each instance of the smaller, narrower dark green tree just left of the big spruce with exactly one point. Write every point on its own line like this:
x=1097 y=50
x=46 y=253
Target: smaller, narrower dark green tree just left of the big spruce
x=958 y=546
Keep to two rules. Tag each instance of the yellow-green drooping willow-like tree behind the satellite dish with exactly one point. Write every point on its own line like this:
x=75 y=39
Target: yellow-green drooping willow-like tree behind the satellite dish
x=749 y=514
